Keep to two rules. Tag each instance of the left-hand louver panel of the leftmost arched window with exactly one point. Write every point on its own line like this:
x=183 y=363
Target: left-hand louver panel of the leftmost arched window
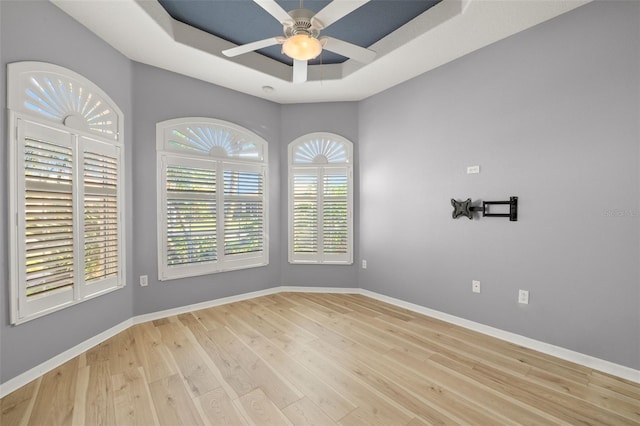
x=49 y=216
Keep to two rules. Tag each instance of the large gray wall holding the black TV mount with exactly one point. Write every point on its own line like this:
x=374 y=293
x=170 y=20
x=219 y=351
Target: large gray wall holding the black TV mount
x=551 y=115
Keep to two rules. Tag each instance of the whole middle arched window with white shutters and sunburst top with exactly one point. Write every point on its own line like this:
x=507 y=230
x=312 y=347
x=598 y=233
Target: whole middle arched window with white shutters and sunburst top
x=212 y=197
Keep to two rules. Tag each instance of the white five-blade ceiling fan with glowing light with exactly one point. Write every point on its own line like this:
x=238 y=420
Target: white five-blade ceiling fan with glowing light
x=301 y=40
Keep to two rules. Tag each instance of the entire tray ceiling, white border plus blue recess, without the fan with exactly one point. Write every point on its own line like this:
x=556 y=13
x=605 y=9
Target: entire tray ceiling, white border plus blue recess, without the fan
x=144 y=31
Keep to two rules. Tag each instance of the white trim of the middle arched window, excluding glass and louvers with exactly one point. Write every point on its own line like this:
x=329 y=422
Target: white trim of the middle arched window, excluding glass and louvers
x=168 y=154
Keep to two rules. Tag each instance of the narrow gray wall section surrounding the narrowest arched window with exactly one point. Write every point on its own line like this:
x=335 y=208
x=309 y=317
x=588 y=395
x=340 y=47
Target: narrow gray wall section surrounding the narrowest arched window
x=298 y=120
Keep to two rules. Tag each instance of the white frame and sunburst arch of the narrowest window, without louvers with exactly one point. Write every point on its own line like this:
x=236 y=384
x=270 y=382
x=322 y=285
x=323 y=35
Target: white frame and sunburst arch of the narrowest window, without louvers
x=319 y=161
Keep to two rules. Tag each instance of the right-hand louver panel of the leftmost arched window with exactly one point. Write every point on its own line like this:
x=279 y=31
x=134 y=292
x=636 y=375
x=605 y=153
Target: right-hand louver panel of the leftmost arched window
x=101 y=254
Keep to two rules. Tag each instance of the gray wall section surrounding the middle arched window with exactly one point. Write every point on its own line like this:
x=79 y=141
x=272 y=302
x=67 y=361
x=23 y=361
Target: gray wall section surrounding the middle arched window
x=161 y=95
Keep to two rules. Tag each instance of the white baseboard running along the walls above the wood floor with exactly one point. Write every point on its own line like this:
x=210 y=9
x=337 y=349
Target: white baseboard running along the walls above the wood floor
x=559 y=352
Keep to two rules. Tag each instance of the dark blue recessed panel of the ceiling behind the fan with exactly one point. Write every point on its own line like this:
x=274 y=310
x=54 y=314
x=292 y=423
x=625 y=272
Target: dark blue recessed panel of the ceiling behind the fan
x=243 y=21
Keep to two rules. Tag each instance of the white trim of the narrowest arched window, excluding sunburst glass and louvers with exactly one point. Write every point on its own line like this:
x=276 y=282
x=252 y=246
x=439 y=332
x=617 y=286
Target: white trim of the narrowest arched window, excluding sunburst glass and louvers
x=319 y=168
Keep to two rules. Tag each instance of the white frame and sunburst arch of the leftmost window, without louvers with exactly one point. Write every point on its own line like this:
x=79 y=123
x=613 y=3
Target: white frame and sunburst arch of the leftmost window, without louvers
x=73 y=112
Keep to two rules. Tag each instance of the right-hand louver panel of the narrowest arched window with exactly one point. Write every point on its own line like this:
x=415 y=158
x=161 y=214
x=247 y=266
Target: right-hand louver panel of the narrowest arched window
x=334 y=213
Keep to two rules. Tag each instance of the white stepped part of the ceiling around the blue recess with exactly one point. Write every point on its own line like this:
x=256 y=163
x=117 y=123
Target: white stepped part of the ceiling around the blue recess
x=144 y=32
